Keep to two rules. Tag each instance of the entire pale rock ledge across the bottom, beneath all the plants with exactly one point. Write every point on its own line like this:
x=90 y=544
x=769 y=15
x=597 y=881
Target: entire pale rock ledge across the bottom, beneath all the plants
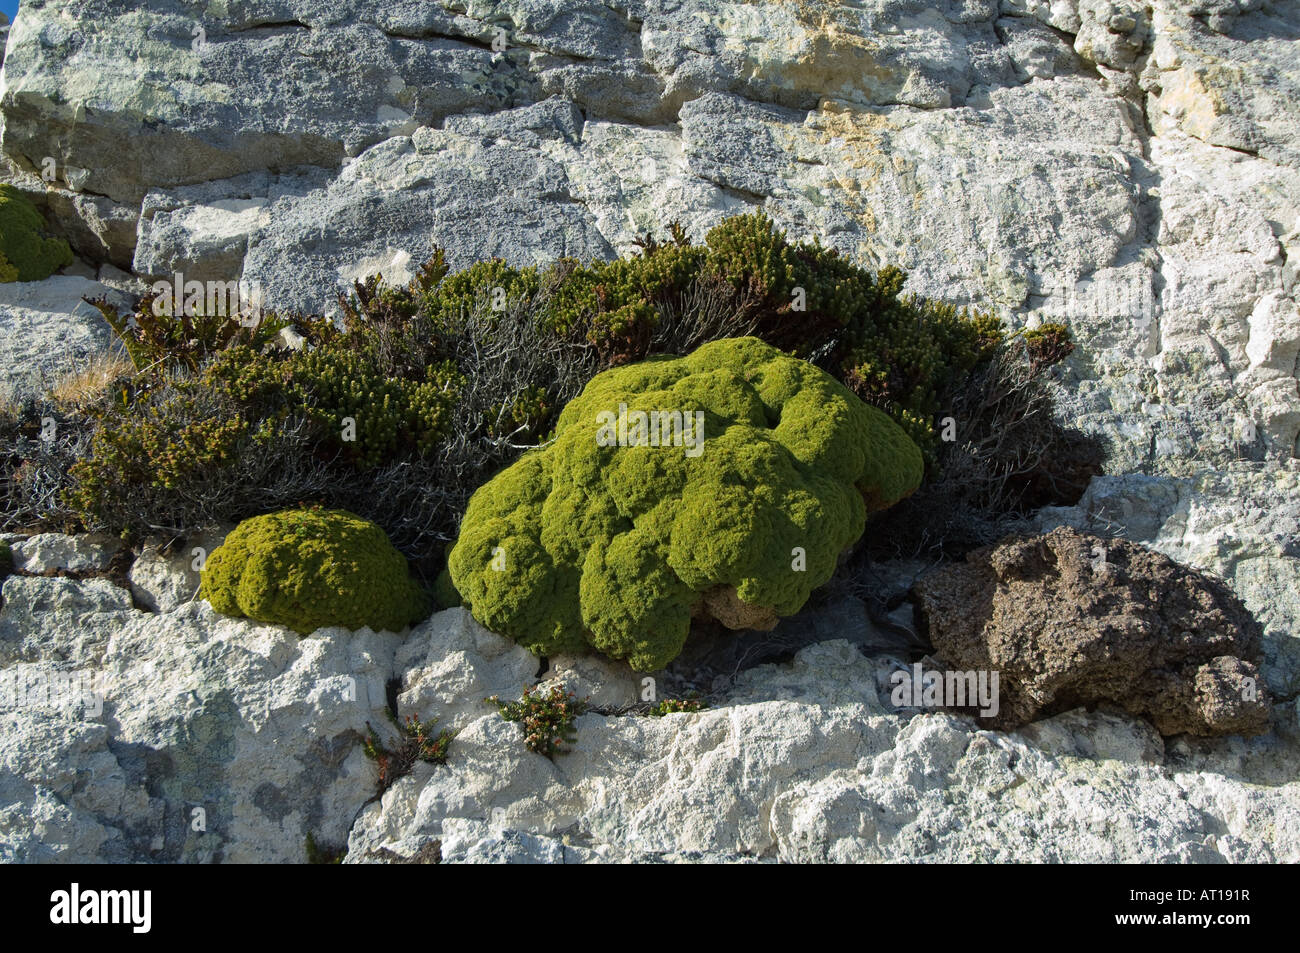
x=262 y=731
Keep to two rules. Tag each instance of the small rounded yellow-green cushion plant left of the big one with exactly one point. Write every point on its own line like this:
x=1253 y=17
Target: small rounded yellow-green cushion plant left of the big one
x=309 y=569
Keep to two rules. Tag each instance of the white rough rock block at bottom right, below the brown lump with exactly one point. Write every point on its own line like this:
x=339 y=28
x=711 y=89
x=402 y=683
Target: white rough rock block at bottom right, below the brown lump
x=807 y=764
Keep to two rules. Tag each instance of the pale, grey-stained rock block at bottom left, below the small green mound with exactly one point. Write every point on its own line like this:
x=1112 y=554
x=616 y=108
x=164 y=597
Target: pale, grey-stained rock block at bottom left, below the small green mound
x=219 y=739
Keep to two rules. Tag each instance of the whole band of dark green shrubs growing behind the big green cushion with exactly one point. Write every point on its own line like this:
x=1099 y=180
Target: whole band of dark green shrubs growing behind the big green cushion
x=223 y=423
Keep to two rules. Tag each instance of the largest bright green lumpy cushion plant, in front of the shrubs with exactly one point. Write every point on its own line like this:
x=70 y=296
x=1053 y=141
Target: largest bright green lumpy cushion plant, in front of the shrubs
x=621 y=529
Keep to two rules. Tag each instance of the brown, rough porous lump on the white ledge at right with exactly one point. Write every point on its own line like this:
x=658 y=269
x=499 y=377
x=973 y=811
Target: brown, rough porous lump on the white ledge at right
x=1071 y=620
